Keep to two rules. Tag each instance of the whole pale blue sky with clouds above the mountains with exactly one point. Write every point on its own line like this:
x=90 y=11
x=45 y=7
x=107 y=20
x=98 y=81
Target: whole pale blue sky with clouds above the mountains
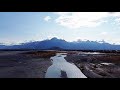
x=18 y=27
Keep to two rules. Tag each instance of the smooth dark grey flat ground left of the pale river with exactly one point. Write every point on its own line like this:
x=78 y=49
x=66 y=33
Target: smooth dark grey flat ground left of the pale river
x=21 y=64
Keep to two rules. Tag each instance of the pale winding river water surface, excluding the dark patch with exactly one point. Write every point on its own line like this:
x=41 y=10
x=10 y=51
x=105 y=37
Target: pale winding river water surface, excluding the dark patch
x=60 y=64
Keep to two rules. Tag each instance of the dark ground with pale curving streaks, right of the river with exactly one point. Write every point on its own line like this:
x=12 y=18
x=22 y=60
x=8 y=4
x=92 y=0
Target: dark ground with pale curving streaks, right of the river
x=97 y=66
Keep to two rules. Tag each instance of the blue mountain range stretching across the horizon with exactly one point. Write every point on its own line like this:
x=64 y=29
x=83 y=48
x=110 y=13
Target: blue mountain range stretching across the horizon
x=56 y=43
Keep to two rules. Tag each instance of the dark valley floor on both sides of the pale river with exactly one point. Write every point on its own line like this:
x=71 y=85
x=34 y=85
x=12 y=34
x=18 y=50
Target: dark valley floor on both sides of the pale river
x=34 y=64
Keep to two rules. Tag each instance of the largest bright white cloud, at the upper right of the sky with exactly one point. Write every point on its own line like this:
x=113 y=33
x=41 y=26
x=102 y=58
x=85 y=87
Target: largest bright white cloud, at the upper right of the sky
x=74 y=20
